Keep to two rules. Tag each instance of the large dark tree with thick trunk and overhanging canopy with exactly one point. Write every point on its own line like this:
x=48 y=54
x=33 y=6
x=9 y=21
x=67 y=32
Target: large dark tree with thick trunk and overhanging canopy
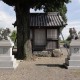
x=22 y=8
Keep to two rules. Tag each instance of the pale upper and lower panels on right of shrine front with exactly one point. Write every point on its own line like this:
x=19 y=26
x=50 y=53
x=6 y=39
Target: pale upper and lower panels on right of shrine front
x=52 y=39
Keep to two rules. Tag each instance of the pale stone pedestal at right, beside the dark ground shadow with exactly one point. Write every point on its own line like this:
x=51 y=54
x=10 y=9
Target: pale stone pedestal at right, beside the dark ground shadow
x=73 y=59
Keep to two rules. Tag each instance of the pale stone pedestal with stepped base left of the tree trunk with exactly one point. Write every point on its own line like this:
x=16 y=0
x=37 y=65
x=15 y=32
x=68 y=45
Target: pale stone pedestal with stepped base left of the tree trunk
x=7 y=60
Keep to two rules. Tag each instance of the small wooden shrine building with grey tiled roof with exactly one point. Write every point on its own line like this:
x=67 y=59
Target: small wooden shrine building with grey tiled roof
x=45 y=30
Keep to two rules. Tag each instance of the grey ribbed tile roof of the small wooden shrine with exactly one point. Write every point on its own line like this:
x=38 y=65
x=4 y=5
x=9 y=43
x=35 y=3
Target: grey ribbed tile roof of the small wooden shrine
x=52 y=19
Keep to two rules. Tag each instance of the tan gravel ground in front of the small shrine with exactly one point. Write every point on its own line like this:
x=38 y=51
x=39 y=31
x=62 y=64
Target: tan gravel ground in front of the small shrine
x=41 y=68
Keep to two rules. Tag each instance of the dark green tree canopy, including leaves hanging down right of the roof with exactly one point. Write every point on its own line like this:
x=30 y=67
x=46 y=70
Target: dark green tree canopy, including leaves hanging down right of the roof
x=47 y=5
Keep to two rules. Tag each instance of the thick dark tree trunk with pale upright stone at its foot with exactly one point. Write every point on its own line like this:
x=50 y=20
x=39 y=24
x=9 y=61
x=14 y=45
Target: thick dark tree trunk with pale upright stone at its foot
x=24 y=48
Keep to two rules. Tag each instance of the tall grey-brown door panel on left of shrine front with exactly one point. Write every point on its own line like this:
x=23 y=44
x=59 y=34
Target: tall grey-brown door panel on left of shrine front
x=39 y=37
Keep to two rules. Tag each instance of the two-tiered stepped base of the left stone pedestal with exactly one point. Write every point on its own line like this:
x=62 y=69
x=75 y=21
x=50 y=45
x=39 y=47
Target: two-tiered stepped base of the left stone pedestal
x=8 y=62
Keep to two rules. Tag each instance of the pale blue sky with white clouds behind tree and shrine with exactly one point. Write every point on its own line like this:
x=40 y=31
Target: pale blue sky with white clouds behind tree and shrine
x=7 y=16
